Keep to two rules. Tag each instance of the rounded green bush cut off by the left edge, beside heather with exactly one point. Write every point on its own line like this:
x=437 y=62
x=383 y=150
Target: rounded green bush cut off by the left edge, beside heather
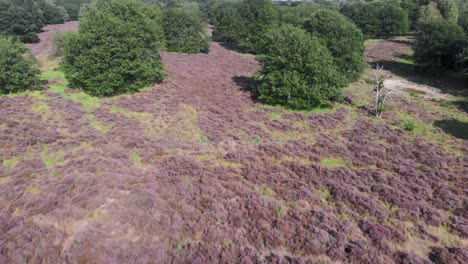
x=18 y=67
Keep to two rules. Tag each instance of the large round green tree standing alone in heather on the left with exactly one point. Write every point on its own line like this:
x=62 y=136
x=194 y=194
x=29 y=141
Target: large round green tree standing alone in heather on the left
x=116 y=49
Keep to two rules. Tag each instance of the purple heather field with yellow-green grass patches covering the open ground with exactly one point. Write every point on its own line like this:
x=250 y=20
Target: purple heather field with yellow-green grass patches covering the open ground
x=195 y=171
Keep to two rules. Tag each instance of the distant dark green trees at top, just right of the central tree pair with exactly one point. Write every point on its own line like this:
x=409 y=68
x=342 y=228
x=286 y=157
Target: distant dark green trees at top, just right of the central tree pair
x=378 y=19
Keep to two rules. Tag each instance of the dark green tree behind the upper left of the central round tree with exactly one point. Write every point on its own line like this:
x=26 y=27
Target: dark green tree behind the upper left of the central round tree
x=258 y=16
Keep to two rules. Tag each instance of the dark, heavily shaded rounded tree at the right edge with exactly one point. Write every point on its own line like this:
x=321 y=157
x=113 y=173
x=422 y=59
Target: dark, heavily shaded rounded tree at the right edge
x=438 y=46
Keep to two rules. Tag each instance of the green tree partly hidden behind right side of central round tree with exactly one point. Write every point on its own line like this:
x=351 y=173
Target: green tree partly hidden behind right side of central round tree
x=342 y=38
